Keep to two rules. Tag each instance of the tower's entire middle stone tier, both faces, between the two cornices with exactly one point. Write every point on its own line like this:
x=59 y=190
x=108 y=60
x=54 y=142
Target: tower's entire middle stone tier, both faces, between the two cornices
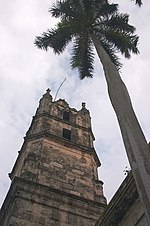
x=61 y=165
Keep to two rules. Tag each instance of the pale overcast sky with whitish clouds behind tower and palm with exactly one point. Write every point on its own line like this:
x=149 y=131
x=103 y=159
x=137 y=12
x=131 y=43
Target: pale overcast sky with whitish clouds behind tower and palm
x=26 y=72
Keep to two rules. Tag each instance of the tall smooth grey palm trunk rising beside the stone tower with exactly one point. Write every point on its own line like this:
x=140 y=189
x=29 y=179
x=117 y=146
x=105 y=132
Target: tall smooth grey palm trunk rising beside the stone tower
x=134 y=140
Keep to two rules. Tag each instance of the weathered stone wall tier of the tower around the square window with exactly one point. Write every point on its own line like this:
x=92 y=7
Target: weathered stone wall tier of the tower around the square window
x=55 y=125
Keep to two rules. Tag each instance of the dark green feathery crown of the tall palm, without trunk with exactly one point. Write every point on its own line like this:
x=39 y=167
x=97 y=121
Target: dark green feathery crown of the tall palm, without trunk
x=79 y=19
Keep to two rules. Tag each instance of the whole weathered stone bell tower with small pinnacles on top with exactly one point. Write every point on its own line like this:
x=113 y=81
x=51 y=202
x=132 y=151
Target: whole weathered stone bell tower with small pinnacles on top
x=55 y=180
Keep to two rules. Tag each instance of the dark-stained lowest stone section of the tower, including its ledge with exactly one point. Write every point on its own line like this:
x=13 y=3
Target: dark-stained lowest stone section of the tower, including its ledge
x=32 y=204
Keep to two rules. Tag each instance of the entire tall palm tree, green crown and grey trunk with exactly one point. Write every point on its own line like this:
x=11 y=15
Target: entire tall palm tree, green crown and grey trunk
x=96 y=23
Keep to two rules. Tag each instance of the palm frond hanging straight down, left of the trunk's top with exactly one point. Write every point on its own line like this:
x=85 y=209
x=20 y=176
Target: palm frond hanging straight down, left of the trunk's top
x=83 y=56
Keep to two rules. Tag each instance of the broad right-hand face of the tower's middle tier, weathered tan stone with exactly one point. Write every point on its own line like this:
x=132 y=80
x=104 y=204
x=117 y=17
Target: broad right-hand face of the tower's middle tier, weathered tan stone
x=70 y=169
